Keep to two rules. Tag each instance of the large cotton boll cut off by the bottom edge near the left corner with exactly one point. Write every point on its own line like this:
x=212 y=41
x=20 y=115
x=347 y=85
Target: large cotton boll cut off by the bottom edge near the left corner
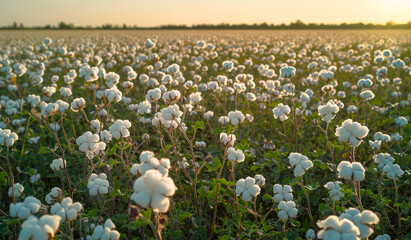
x=43 y=228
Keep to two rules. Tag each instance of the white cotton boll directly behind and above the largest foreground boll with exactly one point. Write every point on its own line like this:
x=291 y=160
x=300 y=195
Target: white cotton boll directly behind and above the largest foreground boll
x=148 y=161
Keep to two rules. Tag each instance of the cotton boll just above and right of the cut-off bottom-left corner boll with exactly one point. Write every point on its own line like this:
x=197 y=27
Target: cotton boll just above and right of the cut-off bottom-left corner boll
x=66 y=209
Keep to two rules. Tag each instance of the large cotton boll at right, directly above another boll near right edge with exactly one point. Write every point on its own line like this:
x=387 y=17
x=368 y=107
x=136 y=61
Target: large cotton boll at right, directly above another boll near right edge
x=352 y=132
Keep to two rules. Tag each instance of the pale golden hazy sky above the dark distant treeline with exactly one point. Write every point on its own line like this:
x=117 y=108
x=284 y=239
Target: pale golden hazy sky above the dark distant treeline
x=163 y=12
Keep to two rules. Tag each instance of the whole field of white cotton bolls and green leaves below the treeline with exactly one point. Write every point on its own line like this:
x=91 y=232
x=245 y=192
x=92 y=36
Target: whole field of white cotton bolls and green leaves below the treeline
x=205 y=134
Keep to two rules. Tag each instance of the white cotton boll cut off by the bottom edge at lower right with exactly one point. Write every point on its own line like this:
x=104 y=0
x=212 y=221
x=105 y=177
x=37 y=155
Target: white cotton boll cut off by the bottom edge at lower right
x=334 y=228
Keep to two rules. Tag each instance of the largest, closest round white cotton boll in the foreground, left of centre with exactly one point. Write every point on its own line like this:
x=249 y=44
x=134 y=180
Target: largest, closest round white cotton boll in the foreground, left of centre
x=153 y=190
